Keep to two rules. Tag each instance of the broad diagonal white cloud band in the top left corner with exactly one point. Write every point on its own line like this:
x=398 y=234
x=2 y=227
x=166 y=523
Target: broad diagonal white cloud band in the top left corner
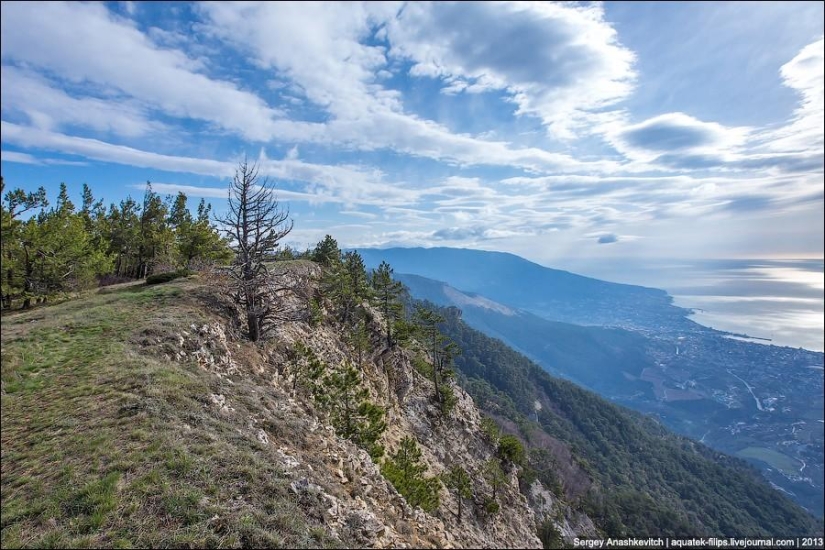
x=85 y=43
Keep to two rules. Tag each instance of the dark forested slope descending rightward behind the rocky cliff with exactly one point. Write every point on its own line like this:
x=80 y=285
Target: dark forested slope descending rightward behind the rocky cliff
x=645 y=480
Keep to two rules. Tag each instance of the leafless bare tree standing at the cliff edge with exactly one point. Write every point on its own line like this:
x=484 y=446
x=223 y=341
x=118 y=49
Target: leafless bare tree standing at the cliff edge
x=255 y=223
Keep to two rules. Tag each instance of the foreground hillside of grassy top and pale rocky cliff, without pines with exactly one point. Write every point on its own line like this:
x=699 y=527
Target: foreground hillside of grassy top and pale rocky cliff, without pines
x=138 y=416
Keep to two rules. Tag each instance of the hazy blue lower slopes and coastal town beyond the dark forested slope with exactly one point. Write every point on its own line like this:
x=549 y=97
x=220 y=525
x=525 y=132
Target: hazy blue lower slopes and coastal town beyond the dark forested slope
x=691 y=382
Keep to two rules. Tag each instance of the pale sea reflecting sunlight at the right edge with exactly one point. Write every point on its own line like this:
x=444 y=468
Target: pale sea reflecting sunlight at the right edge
x=779 y=302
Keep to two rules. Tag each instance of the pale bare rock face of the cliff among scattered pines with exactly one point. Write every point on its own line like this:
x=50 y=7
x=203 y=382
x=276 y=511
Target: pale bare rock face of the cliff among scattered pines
x=333 y=480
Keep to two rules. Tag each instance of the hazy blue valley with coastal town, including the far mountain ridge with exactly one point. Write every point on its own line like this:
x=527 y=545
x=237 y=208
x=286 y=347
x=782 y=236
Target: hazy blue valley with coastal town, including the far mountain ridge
x=762 y=403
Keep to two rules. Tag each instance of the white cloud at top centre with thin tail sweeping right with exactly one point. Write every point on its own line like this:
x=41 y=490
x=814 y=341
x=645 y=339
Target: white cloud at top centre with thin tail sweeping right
x=329 y=62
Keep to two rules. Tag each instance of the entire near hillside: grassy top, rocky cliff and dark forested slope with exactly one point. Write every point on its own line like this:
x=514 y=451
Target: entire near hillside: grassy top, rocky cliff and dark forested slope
x=139 y=416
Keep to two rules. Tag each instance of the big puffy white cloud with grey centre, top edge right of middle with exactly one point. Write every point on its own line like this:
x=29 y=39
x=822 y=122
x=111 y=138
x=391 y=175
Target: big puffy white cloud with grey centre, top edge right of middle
x=557 y=61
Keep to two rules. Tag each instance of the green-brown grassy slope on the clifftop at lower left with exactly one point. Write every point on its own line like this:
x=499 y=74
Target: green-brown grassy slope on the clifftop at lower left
x=103 y=445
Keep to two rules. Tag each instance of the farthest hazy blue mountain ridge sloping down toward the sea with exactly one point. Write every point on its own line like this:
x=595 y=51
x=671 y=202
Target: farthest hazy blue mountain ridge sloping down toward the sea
x=550 y=293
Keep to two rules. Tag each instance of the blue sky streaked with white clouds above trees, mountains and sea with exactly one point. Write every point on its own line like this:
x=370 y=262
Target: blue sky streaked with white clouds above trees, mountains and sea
x=584 y=131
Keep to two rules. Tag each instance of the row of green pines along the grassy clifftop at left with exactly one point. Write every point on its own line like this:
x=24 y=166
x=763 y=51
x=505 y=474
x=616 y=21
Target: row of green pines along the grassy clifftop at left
x=63 y=247
